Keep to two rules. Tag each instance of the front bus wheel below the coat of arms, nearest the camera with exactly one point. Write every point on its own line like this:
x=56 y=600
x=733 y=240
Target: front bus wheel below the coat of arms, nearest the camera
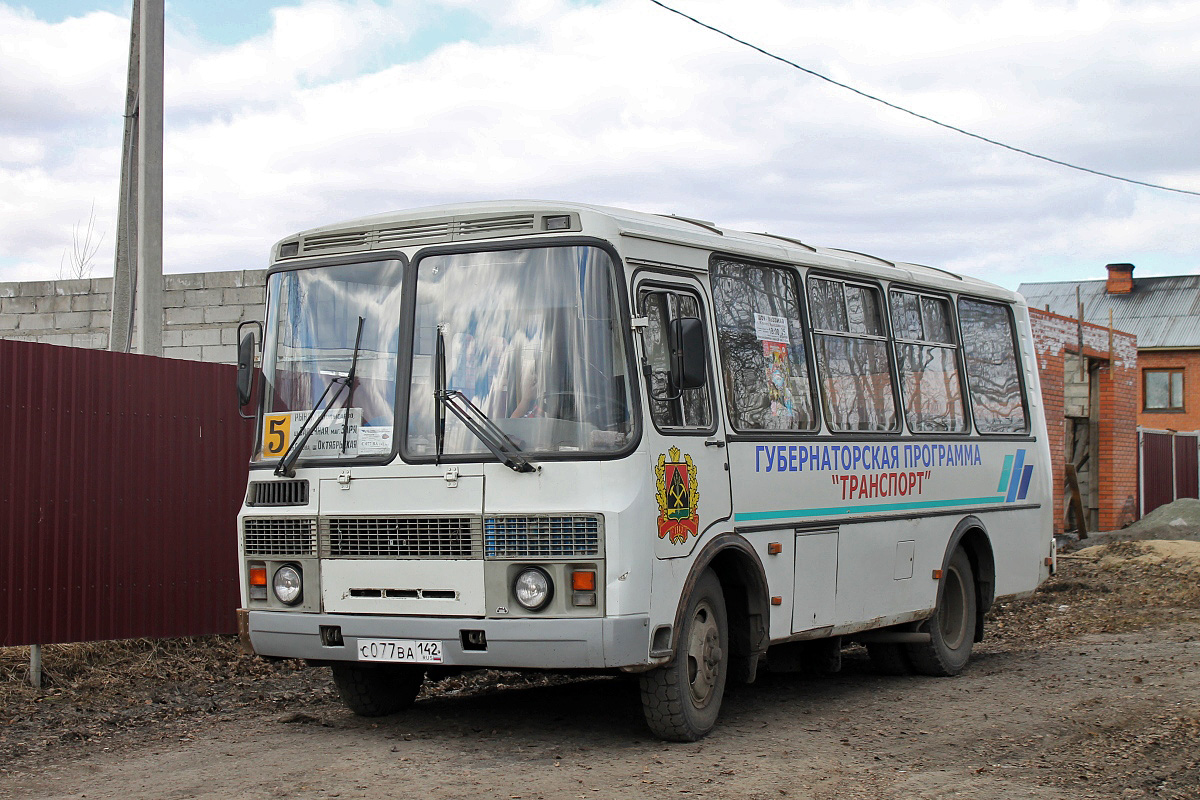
x=682 y=700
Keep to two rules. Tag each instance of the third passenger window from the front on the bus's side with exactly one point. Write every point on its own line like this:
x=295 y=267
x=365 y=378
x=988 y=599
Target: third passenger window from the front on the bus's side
x=928 y=363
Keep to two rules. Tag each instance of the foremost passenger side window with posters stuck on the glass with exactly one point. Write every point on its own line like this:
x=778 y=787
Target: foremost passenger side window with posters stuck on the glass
x=764 y=357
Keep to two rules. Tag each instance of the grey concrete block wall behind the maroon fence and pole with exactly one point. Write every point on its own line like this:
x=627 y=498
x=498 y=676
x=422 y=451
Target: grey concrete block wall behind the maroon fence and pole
x=201 y=312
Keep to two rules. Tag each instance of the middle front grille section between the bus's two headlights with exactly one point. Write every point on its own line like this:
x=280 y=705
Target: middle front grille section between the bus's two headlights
x=400 y=538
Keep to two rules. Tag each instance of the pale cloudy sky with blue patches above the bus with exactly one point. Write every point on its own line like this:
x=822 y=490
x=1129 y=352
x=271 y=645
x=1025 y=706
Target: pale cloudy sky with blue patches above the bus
x=287 y=116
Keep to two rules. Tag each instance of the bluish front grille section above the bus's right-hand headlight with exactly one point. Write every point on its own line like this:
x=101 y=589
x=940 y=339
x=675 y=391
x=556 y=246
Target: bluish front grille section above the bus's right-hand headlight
x=513 y=537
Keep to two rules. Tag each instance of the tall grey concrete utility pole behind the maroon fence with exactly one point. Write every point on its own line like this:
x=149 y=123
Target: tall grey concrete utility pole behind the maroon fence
x=147 y=130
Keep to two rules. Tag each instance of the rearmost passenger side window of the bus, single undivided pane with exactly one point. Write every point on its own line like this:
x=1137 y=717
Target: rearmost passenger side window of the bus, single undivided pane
x=993 y=374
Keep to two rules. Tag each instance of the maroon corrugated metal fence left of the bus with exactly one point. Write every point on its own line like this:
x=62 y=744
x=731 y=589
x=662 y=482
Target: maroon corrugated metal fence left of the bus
x=121 y=482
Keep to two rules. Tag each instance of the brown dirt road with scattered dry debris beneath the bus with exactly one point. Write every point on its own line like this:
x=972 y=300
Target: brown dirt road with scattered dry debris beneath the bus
x=1088 y=690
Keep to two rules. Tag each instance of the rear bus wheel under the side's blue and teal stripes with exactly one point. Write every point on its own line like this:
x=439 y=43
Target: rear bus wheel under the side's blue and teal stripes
x=952 y=627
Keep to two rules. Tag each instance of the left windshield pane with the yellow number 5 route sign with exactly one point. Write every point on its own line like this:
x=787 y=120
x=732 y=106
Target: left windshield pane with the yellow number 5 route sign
x=310 y=348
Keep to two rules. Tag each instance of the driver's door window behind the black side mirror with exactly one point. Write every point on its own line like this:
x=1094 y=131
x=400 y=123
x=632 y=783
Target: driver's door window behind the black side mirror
x=694 y=408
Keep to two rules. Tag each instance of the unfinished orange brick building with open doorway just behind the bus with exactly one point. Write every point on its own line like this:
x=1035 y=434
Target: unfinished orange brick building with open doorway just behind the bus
x=1091 y=406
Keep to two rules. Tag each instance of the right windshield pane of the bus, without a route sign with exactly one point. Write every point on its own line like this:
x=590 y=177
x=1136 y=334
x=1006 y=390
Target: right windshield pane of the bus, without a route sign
x=533 y=341
